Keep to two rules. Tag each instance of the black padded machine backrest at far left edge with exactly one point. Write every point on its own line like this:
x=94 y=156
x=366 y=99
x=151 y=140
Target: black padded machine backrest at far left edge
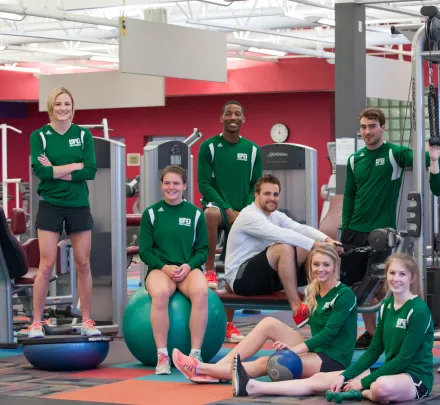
x=15 y=258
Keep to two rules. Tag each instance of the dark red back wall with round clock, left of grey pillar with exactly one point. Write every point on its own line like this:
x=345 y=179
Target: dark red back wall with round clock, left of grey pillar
x=309 y=116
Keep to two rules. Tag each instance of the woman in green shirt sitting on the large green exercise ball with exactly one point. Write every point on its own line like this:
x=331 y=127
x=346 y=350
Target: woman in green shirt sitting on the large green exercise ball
x=174 y=245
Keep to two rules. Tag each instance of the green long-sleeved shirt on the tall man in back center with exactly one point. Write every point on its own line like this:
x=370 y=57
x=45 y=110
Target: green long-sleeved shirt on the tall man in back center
x=227 y=172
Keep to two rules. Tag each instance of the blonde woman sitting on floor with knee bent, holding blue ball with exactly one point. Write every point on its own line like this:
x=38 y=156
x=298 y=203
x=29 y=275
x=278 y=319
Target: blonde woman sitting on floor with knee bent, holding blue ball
x=333 y=321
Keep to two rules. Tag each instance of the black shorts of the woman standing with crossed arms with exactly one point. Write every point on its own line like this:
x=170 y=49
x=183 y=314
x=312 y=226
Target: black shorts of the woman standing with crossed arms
x=54 y=218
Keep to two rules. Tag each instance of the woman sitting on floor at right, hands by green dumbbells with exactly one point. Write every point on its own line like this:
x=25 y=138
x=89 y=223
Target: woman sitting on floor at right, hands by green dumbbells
x=405 y=332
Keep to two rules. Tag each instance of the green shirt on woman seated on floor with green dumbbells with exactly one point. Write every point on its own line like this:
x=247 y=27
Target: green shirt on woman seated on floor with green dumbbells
x=407 y=336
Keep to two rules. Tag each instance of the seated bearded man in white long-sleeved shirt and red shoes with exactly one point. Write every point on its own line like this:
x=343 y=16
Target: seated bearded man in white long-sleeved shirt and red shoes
x=266 y=250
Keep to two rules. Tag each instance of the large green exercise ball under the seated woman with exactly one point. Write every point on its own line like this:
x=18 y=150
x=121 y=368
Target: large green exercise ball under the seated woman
x=138 y=333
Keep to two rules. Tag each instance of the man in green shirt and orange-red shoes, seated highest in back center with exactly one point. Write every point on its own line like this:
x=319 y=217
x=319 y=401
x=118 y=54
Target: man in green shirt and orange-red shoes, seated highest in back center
x=229 y=166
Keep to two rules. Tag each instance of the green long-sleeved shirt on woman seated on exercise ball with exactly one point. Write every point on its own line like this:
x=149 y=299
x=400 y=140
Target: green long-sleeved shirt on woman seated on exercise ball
x=173 y=234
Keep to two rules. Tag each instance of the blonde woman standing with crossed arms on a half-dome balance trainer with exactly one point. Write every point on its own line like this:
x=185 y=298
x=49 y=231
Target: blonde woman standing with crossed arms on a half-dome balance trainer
x=63 y=159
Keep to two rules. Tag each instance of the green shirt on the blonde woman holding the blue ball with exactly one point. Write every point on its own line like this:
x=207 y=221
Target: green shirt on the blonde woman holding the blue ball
x=334 y=325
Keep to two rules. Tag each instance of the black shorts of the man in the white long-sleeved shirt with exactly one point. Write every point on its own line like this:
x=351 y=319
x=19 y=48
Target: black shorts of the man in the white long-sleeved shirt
x=257 y=277
